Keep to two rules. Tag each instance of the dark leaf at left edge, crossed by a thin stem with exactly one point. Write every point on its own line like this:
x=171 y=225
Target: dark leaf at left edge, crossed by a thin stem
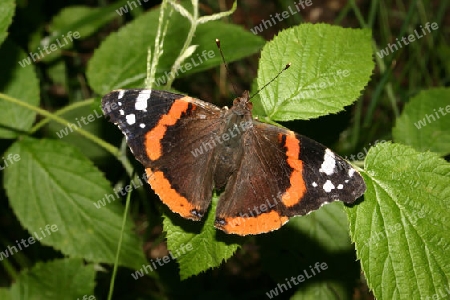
x=18 y=82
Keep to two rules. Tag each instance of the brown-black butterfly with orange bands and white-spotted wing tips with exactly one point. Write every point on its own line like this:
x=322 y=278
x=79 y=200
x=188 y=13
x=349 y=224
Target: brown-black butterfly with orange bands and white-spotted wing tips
x=265 y=174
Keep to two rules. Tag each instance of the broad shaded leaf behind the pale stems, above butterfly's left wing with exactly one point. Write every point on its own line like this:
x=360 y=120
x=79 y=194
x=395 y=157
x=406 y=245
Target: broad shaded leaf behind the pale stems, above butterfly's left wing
x=115 y=66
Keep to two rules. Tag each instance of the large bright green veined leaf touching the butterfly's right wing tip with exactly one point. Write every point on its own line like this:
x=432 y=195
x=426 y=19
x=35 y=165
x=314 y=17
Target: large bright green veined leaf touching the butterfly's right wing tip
x=401 y=228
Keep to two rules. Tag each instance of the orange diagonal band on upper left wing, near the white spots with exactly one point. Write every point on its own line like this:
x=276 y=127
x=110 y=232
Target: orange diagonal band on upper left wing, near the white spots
x=153 y=137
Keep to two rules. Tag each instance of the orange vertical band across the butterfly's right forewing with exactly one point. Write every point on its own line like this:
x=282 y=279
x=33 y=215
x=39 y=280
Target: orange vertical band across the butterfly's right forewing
x=295 y=192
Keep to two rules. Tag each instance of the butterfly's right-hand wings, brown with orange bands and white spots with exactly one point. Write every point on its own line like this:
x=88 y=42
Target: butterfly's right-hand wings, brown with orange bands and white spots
x=282 y=174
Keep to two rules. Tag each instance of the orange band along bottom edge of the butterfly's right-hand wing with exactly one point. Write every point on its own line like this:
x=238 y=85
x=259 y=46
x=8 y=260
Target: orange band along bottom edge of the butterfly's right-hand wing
x=264 y=222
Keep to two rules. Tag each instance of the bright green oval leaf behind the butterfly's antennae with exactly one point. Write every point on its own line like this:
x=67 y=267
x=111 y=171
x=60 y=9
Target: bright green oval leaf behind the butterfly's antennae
x=330 y=67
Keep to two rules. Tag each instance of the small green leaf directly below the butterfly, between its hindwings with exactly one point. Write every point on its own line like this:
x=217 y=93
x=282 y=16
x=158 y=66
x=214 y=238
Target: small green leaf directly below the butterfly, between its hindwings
x=210 y=246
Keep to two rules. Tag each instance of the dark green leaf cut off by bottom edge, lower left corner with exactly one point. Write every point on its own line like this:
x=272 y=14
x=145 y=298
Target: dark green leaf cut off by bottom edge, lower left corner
x=67 y=278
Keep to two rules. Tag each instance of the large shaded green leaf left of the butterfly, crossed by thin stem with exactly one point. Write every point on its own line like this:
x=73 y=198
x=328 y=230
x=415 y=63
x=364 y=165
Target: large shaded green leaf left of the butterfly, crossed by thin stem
x=53 y=183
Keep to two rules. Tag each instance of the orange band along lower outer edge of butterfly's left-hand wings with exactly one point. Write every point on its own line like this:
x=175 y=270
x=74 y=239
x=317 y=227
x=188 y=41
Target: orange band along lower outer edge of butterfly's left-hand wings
x=168 y=195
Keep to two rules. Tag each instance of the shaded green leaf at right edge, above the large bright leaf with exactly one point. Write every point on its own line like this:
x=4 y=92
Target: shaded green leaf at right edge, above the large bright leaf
x=425 y=122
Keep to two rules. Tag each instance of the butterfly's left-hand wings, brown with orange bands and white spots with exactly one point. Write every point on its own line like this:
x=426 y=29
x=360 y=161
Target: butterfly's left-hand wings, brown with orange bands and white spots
x=170 y=134
